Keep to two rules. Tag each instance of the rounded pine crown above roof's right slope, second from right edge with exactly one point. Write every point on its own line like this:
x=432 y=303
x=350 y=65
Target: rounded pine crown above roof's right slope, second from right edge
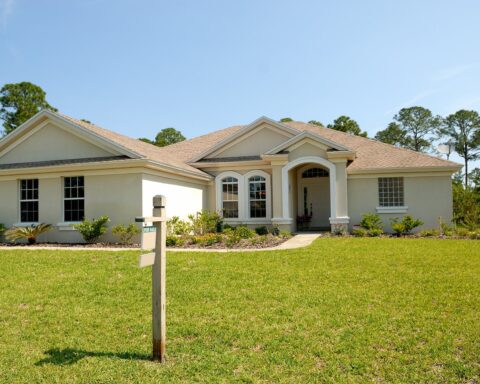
x=418 y=125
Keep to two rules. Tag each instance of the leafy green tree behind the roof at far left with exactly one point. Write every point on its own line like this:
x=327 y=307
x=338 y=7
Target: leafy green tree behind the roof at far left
x=19 y=102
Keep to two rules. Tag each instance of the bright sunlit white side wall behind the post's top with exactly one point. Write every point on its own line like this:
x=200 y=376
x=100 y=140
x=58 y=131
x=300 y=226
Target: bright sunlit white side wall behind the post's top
x=183 y=197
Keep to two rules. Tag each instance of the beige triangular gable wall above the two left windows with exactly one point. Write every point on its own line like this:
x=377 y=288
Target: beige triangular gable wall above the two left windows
x=52 y=143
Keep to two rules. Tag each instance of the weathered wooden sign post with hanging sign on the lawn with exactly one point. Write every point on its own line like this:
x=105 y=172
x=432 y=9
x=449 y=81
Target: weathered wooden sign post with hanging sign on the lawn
x=158 y=261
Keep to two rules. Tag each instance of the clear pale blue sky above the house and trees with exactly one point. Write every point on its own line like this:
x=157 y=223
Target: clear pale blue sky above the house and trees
x=139 y=66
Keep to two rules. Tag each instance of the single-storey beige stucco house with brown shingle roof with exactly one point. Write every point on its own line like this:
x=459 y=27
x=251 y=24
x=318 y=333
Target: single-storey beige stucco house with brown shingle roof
x=58 y=170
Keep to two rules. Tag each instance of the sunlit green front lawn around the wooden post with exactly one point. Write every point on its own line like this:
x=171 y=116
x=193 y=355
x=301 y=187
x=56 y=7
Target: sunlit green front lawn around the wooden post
x=342 y=310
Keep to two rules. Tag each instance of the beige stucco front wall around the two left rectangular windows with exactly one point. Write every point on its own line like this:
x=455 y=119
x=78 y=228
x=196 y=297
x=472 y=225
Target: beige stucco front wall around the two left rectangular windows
x=117 y=196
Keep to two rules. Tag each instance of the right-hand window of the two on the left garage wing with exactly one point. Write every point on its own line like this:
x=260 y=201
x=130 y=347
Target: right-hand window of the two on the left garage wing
x=74 y=198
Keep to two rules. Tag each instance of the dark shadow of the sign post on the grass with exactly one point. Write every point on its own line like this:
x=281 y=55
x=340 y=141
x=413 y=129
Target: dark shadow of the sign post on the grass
x=68 y=356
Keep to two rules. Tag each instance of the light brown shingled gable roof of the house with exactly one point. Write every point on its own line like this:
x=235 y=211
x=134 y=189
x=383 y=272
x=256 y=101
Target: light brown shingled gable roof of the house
x=371 y=155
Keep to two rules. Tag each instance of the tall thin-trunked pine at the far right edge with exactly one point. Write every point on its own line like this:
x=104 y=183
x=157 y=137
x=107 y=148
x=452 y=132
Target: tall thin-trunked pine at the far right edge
x=463 y=127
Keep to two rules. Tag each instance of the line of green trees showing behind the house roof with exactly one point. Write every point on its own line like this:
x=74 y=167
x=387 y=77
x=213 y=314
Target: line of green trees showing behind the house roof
x=415 y=128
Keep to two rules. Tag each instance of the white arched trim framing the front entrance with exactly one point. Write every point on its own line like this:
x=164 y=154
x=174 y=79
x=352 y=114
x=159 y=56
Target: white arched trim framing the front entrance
x=333 y=183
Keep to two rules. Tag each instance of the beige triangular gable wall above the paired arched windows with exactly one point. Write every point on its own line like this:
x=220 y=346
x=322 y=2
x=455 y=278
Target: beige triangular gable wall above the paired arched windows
x=260 y=141
